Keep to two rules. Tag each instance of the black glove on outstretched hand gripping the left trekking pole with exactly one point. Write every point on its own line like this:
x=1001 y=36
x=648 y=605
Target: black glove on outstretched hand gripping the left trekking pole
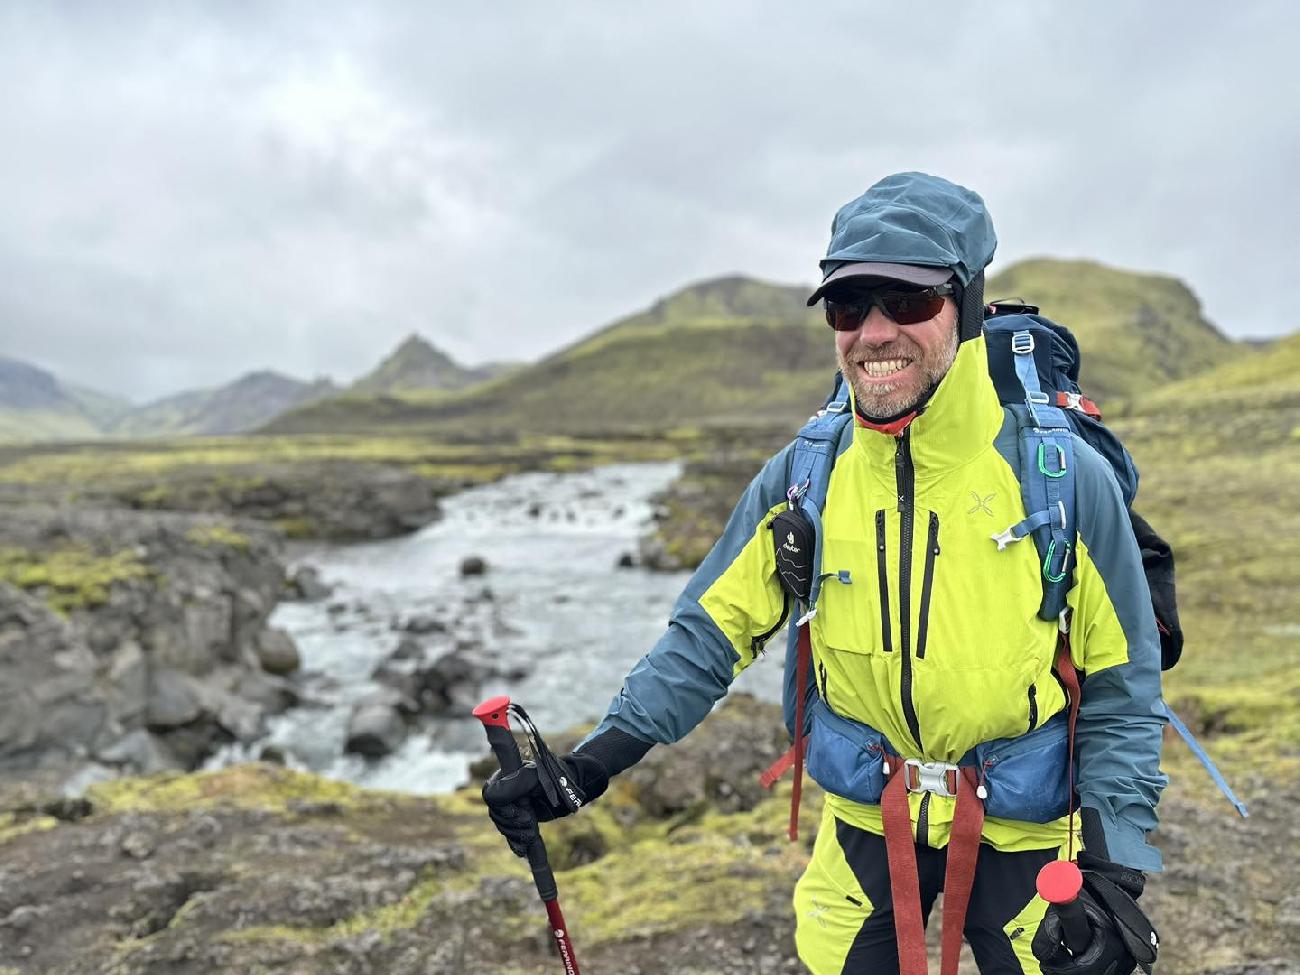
x=528 y=796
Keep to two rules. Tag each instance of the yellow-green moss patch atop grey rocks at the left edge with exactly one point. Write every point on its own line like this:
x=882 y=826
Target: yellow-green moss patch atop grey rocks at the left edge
x=71 y=578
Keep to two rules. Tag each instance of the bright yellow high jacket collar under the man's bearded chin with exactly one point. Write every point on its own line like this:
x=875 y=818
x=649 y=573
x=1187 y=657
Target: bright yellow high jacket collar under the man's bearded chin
x=960 y=422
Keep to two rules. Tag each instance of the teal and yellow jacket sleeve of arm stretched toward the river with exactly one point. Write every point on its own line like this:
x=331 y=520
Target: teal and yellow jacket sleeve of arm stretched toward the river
x=675 y=686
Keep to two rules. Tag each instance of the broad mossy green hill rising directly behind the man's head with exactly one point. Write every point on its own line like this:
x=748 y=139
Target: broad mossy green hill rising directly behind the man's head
x=743 y=352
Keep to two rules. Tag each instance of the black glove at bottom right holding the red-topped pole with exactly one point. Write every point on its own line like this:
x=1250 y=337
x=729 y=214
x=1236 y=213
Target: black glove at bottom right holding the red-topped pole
x=1123 y=935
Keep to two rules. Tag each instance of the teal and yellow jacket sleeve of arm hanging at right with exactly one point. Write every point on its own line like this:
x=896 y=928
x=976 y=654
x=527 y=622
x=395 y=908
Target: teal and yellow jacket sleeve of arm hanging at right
x=1116 y=642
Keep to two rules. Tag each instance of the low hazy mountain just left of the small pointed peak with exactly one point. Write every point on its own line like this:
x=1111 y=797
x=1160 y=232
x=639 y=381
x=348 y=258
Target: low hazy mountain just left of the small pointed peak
x=237 y=408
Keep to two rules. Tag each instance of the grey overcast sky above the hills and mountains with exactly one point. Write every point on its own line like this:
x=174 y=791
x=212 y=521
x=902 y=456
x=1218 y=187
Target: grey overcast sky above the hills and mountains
x=192 y=192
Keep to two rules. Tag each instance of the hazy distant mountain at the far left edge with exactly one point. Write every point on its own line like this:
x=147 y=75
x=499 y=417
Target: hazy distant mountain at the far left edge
x=37 y=406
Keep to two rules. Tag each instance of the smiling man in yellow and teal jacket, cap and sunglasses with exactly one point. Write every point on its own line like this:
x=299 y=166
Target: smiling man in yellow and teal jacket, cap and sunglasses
x=926 y=640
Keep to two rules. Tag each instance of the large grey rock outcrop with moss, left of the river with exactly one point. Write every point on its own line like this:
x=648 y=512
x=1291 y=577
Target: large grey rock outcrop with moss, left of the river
x=137 y=642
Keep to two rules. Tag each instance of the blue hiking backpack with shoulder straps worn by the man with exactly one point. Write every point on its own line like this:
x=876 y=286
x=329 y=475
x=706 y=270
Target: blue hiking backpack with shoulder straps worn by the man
x=1034 y=365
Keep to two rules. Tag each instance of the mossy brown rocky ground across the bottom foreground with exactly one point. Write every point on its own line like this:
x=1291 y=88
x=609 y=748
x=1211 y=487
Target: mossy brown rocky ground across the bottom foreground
x=261 y=869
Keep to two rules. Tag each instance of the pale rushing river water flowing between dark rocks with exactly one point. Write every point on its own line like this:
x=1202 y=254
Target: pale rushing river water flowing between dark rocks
x=553 y=601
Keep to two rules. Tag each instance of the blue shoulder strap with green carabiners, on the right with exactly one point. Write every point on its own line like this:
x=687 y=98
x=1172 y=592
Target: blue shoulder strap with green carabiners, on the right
x=1047 y=480
